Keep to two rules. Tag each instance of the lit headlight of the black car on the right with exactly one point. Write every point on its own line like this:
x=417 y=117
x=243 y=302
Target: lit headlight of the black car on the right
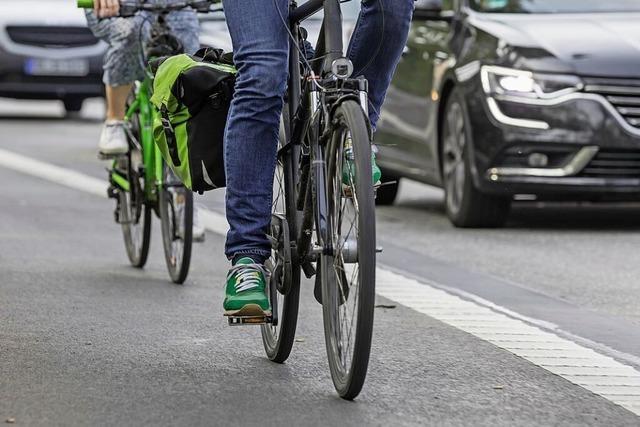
x=512 y=82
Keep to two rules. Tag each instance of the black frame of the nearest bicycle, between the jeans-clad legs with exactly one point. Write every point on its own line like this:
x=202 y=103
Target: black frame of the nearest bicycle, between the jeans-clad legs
x=328 y=49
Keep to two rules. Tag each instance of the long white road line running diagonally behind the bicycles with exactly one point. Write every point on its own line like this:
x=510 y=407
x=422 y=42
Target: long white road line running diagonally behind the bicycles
x=524 y=337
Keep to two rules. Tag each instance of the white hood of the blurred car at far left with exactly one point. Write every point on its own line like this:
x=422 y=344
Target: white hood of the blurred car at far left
x=39 y=12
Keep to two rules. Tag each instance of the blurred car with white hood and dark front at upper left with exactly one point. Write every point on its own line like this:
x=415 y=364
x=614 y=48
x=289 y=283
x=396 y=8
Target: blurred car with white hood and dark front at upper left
x=47 y=52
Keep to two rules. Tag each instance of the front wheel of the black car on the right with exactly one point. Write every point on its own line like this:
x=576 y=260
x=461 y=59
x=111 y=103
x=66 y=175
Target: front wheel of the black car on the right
x=465 y=205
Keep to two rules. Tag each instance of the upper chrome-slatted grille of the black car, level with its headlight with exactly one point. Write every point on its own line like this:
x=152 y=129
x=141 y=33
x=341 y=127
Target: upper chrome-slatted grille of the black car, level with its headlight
x=623 y=94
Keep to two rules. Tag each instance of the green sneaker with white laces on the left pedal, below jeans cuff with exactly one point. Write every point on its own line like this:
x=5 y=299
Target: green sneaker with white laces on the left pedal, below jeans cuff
x=246 y=290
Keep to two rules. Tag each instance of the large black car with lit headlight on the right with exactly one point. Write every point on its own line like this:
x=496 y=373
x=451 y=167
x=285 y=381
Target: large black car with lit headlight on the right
x=496 y=99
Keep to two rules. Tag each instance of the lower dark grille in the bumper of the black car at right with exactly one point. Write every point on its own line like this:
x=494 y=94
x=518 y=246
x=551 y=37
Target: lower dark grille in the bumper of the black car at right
x=613 y=164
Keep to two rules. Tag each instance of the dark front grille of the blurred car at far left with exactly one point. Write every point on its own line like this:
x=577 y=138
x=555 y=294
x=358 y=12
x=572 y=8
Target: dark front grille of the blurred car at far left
x=51 y=36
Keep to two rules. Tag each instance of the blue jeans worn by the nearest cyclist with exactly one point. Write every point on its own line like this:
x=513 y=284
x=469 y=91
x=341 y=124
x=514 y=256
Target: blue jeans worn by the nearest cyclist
x=260 y=44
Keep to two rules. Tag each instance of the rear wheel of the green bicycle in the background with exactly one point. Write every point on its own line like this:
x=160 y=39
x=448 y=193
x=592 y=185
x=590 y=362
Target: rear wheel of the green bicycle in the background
x=133 y=206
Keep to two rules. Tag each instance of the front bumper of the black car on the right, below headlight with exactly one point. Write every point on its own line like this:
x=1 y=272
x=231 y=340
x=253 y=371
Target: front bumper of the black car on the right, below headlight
x=577 y=146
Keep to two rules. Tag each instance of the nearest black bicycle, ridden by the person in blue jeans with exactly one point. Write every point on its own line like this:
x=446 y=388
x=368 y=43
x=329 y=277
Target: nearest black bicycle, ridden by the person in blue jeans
x=323 y=205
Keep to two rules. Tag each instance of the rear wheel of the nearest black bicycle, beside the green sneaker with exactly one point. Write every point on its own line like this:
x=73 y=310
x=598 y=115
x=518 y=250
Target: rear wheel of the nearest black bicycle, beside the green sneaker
x=284 y=272
